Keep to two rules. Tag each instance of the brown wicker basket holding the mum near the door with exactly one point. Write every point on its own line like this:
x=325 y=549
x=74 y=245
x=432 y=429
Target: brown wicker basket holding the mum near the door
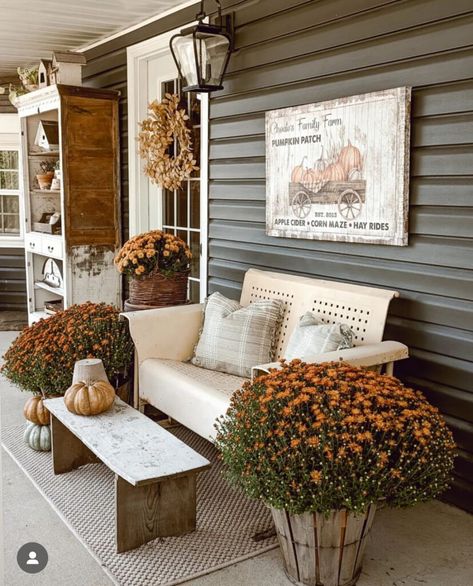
x=158 y=290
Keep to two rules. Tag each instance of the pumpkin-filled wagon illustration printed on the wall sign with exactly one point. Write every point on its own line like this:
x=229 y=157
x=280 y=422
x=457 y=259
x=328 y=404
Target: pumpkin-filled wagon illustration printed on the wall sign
x=339 y=182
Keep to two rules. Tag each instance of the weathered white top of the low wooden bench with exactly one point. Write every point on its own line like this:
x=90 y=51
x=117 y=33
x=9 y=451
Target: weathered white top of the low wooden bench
x=129 y=443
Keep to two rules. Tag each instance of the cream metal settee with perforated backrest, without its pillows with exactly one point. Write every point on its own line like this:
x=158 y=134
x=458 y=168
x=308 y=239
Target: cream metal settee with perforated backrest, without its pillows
x=165 y=339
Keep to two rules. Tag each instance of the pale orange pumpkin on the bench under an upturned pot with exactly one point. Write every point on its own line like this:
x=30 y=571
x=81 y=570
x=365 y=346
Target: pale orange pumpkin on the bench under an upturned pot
x=89 y=398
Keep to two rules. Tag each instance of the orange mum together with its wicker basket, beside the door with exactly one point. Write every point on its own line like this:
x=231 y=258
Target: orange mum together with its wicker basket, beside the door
x=158 y=266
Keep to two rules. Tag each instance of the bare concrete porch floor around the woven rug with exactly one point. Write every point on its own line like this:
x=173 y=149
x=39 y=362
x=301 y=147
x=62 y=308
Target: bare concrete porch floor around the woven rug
x=431 y=544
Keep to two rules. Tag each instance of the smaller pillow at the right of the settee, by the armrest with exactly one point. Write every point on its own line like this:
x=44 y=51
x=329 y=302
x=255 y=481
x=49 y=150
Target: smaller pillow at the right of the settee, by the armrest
x=312 y=337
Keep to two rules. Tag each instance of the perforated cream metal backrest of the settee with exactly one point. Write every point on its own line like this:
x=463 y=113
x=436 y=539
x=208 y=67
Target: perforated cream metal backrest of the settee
x=364 y=309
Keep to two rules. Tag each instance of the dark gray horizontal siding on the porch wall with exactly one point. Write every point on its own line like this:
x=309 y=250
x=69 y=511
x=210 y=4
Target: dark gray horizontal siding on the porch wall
x=291 y=53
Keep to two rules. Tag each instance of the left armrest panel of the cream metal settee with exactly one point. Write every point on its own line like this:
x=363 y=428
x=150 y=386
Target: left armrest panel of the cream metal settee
x=168 y=332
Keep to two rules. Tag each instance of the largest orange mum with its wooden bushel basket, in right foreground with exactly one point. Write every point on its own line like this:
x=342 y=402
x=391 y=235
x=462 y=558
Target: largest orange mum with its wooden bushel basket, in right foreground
x=323 y=445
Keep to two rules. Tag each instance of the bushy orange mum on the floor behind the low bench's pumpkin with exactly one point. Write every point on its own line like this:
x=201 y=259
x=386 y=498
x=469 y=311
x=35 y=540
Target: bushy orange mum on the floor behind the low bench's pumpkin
x=42 y=357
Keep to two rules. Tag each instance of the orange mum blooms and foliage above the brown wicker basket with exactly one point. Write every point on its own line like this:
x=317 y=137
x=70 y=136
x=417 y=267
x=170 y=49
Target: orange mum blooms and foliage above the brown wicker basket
x=153 y=251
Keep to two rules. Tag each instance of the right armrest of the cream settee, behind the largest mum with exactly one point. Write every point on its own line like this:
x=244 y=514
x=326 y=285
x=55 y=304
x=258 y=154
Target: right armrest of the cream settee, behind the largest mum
x=369 y=355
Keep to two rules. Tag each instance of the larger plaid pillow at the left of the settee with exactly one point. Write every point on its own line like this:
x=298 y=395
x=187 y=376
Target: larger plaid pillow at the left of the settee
x=235 y=338
